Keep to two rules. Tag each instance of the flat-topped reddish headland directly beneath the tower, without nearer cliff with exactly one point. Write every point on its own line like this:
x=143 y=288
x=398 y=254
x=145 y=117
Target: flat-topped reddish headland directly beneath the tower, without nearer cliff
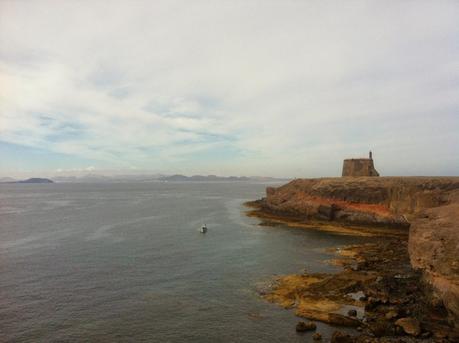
x=388 y=199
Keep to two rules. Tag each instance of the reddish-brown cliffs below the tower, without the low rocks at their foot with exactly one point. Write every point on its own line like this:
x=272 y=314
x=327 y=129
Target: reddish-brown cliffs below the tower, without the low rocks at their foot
x=428 y=207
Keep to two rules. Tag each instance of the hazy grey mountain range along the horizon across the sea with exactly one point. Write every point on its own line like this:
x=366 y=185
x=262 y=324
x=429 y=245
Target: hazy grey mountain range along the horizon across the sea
x=94 y=178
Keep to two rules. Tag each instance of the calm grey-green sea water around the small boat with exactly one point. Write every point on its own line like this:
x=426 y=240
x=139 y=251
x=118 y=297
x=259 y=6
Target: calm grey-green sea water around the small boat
x=126 y=263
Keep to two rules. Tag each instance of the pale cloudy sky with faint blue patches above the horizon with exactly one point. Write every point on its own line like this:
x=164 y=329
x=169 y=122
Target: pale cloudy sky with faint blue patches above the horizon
x=272 y=88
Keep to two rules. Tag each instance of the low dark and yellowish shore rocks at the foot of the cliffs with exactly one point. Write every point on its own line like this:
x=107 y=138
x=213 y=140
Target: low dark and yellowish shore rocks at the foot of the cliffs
x=385 y=286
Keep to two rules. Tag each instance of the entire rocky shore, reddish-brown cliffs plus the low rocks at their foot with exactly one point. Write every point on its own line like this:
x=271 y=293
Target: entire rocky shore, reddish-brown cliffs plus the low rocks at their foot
x=389 y=291
